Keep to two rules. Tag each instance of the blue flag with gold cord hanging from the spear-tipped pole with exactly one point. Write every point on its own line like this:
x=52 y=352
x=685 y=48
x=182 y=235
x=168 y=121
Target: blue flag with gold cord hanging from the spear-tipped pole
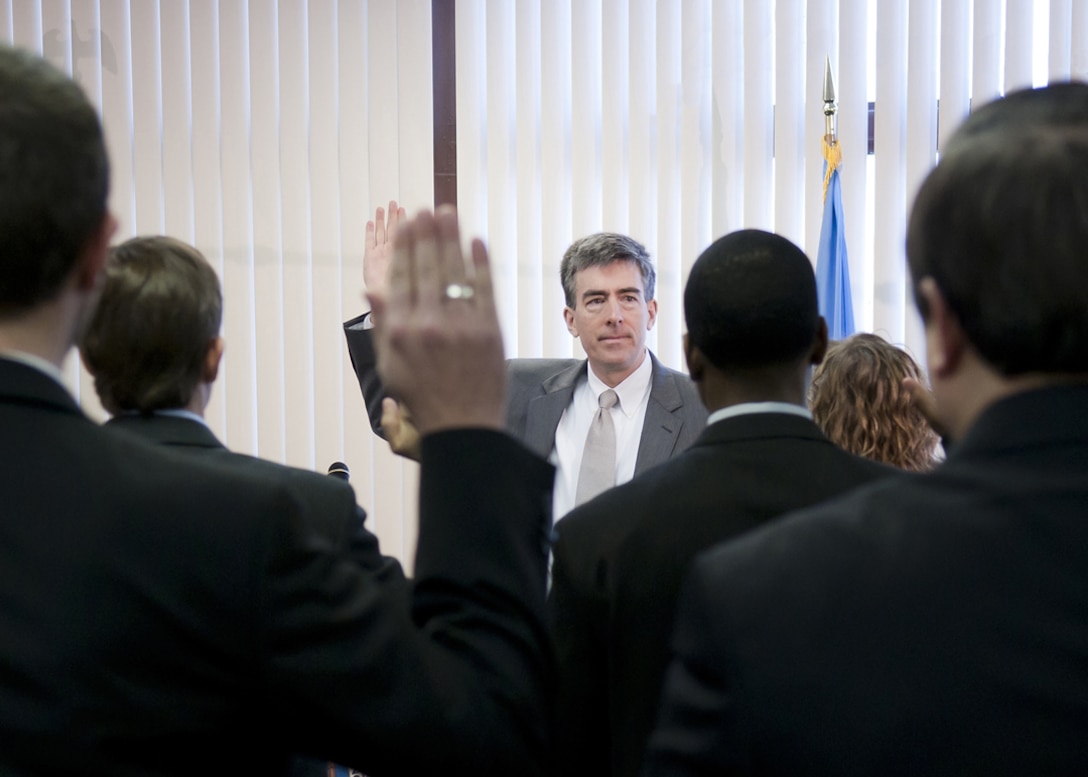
x=833 y=268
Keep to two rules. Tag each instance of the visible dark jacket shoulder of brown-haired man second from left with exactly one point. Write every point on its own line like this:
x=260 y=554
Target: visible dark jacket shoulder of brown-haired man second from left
x=325 y=496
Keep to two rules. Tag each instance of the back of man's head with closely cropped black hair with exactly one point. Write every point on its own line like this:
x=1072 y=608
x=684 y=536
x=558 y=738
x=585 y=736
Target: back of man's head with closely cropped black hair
x=752 y=317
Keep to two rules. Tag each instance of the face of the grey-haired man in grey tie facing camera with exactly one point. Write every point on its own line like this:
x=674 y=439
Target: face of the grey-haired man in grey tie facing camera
x=612 y=317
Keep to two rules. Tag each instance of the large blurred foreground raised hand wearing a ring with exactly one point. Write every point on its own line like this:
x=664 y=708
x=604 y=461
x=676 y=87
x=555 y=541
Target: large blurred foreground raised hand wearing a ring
x=440 y=349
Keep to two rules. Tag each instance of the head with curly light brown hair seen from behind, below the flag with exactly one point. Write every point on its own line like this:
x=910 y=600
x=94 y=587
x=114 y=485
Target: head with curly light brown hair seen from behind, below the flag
x=859 y=400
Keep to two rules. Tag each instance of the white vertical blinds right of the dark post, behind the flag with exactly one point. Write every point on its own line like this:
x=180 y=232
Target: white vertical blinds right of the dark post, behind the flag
x=677 y=122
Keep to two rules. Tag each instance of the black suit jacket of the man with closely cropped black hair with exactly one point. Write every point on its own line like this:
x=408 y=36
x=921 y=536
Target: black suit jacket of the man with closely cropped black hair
x=621 y=560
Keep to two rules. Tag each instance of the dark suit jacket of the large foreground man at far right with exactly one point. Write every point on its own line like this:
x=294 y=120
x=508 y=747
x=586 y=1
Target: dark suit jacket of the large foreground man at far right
x=929 y=625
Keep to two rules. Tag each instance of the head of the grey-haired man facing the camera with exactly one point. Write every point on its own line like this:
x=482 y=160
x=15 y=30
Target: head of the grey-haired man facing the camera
x=609 y=283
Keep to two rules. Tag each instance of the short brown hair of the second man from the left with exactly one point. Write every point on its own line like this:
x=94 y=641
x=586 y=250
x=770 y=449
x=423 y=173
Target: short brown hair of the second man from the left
x=160 y=309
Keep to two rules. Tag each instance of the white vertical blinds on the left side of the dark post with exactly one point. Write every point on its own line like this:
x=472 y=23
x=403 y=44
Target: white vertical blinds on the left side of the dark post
x=265 y=133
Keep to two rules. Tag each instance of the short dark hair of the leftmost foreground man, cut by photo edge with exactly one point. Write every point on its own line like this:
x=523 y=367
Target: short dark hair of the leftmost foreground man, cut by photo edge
x=55 y=179
